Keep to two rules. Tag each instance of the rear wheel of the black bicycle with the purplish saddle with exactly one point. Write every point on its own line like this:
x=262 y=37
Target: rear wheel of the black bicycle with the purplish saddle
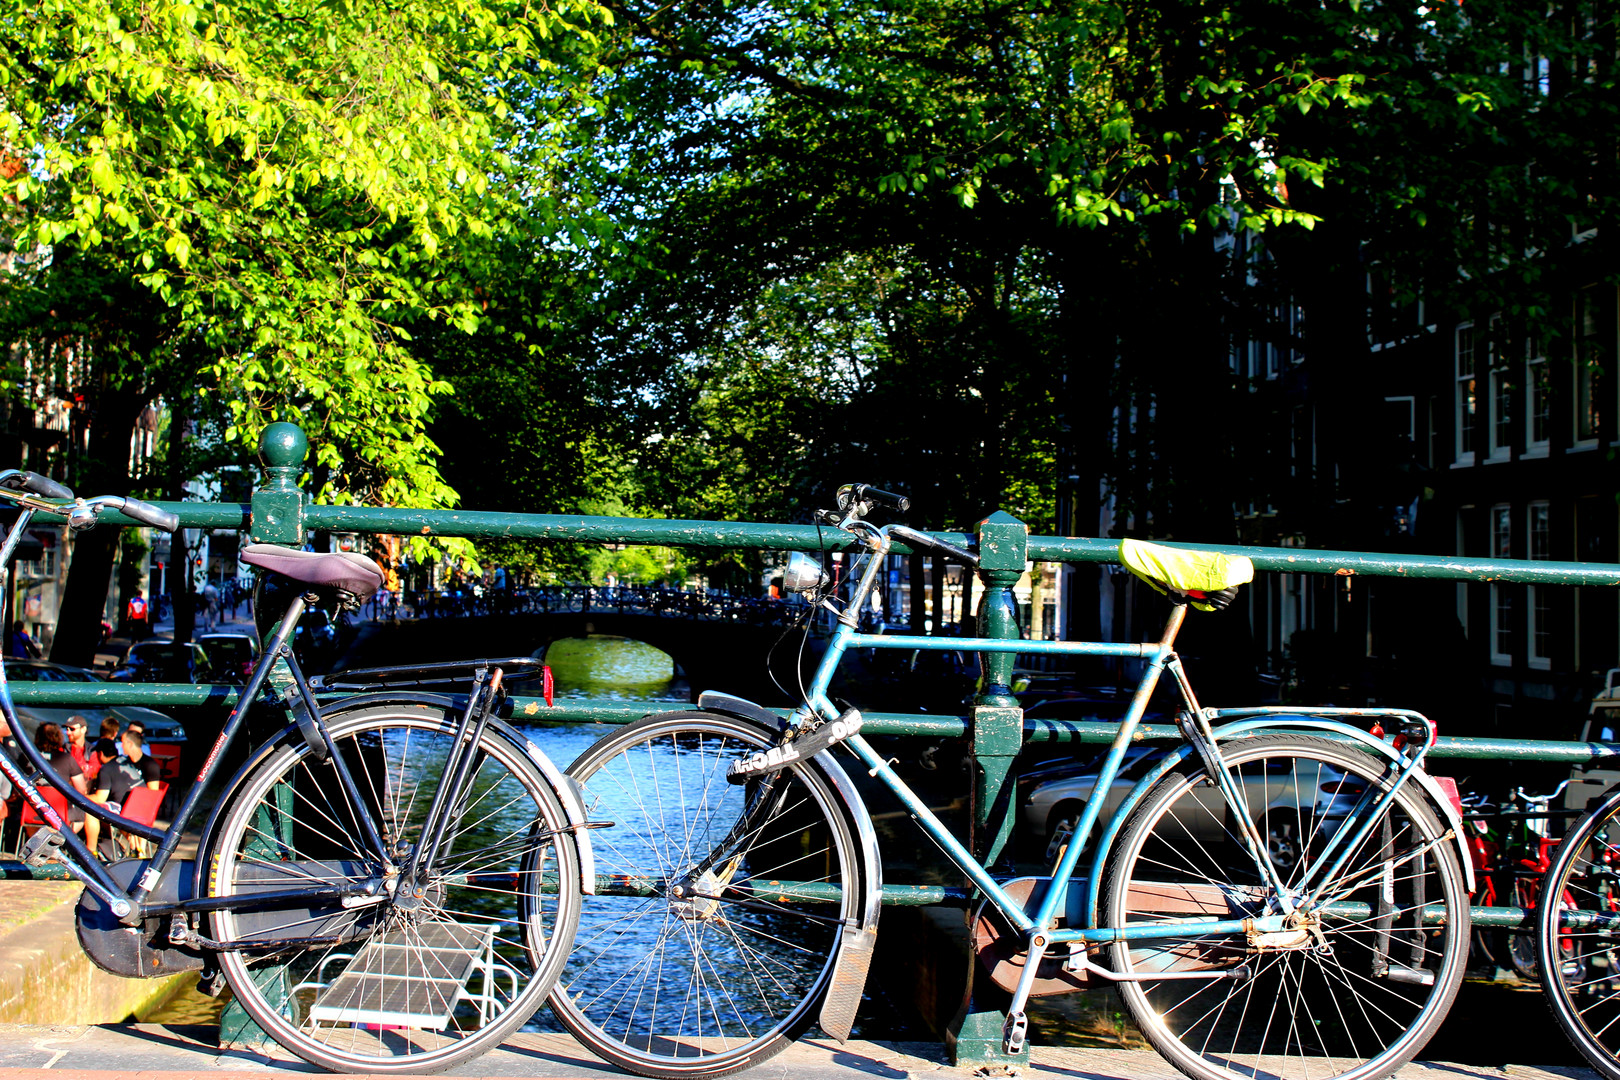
x=416 y=985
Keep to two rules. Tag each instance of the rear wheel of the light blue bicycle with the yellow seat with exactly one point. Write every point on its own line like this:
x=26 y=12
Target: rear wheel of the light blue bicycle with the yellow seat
x=1342 y=1014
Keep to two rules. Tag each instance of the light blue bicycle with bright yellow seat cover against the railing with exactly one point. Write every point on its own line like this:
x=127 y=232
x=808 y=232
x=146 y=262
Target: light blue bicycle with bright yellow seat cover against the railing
x=1285 y=895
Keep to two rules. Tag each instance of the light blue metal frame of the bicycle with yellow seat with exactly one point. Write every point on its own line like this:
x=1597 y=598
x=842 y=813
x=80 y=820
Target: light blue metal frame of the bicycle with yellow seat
x=1195 y=723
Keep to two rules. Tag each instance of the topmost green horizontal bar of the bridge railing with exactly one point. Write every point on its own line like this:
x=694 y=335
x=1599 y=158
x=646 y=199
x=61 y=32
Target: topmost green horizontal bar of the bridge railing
x=694 y=534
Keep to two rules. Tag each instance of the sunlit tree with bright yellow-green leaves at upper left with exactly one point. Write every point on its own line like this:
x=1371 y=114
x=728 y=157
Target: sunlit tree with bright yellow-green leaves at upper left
x=258 y=200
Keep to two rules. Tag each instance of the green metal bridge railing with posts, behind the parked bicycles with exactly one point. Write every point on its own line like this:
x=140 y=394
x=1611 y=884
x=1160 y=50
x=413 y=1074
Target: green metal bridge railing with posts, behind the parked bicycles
x=281 y=514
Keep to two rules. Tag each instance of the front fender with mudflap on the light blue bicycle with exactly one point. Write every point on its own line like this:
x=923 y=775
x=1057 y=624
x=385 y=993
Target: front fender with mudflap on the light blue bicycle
x=861 y=937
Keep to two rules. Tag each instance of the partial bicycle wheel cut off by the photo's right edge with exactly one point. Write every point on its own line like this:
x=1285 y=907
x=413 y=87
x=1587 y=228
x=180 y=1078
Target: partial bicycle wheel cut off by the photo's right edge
x=1584 y=987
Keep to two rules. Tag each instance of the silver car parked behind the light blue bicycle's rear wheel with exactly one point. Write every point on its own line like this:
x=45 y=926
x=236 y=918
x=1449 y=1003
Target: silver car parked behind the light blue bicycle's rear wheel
x=1059 y=793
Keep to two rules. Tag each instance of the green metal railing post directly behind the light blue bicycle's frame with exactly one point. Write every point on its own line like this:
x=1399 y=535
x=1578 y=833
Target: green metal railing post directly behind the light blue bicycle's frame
x=997 y=726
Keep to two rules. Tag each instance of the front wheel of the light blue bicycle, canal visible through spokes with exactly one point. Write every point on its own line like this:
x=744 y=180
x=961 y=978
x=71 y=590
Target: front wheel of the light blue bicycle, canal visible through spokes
x=702 y=987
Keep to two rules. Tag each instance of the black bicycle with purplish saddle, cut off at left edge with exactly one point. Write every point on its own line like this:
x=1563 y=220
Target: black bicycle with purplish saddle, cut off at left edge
x=388 y=885
